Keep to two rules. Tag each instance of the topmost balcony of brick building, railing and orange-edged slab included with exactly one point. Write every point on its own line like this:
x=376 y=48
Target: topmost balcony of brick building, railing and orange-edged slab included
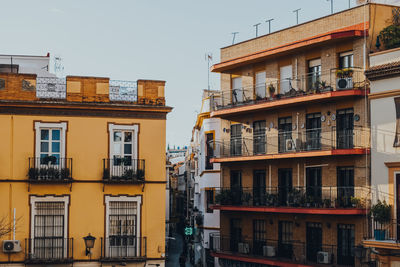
x=312 y=87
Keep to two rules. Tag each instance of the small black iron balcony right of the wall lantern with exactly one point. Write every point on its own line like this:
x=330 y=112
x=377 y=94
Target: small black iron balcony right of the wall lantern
x=125 y=248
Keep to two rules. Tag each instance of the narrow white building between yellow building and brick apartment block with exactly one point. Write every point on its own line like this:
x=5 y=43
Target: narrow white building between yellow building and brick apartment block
x=207 y=177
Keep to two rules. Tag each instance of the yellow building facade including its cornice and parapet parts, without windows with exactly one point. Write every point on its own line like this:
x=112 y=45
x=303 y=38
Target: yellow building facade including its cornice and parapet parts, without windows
x=87 y=143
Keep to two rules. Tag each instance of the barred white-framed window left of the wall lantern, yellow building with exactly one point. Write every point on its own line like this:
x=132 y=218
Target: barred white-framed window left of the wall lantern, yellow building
x=49 y=219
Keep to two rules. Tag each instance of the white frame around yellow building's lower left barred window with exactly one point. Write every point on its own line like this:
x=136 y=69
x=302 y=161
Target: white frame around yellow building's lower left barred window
x=33 y=200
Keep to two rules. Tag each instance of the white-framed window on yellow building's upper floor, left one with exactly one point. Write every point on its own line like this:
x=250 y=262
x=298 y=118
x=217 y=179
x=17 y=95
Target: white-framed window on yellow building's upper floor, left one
x=50 y=143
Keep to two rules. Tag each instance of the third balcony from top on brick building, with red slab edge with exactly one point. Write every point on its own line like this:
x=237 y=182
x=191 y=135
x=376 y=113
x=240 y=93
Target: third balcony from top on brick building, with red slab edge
x=328 y=200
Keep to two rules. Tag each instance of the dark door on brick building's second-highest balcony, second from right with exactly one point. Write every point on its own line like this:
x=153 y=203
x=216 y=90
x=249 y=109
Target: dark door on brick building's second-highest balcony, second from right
x=313 y=131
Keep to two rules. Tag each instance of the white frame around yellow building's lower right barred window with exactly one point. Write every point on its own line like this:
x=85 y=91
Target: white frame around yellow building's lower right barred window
x=138 y=200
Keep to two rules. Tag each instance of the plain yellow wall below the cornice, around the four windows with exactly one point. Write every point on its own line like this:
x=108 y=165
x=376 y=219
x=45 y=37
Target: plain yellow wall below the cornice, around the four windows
x=87 y=144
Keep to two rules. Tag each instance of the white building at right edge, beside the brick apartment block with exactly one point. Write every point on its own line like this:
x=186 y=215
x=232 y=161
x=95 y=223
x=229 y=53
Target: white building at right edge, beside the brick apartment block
x=384 y=76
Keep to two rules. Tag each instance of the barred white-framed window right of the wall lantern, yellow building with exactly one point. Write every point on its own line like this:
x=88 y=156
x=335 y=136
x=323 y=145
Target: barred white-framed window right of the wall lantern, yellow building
x=123 y=227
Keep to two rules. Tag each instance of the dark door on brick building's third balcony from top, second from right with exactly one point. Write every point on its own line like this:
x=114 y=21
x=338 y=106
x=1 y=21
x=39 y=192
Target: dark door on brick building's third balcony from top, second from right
x=314 y=189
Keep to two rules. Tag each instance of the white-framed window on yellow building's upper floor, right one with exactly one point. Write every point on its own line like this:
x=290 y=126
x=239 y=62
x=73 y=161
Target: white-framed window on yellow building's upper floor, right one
x=123 y=148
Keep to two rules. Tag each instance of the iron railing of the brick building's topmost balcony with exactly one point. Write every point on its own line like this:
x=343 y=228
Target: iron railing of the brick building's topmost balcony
x=275 y=89
